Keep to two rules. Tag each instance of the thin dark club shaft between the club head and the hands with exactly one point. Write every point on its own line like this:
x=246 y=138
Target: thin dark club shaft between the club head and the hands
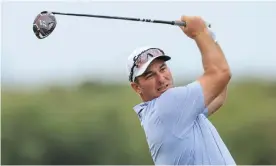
x=178 y=23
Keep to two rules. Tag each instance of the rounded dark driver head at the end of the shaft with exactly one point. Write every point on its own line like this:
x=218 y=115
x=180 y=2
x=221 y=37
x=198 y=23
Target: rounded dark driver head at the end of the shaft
x=44 y=24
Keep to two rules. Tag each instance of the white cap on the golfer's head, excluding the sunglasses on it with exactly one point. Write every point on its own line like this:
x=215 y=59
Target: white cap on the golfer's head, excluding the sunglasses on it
x=143 y=68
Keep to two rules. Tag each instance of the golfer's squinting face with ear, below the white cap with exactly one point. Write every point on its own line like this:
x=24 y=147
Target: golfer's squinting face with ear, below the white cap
x=155 y=80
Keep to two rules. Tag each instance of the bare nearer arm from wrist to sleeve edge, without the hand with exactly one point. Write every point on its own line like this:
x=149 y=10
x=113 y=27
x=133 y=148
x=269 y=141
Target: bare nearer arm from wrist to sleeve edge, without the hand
x=216 y=70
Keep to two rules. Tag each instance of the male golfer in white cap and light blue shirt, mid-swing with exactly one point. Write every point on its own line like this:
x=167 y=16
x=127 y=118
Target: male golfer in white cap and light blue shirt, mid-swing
x=175 y=119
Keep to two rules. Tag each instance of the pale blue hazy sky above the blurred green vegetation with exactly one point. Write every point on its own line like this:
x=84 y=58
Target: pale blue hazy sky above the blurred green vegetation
x=92 y=48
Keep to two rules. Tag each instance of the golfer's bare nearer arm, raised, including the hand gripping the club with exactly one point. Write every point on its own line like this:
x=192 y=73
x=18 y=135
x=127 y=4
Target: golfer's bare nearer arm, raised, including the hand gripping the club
x=216 y=69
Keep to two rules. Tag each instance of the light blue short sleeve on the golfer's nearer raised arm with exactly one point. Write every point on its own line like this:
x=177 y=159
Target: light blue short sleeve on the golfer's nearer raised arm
x=180 y=106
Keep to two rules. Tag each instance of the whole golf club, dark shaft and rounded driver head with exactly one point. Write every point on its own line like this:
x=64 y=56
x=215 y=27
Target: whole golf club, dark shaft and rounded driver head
x=45 y=22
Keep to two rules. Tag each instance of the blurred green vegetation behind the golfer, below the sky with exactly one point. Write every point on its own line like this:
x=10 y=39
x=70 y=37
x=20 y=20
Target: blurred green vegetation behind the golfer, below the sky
x=93 y=123
